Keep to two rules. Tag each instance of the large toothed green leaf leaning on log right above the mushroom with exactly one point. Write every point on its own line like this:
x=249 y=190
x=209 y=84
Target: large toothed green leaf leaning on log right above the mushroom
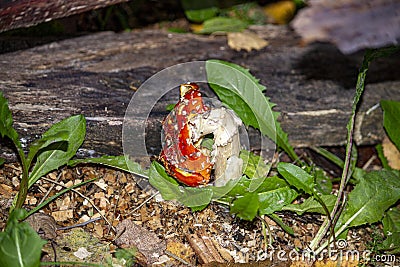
x=241 y=92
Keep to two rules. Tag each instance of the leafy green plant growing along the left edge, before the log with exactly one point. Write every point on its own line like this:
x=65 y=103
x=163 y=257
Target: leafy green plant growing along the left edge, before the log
x=20 y=245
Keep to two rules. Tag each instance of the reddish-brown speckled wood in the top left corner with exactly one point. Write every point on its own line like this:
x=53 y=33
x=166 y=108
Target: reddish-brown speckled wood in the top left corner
x=23 y=13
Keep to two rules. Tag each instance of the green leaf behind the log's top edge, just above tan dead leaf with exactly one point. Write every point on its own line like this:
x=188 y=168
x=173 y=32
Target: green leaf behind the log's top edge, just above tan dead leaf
x=223 y=24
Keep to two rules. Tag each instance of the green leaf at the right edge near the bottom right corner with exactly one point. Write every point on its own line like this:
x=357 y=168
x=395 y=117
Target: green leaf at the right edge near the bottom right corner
x=391 y=228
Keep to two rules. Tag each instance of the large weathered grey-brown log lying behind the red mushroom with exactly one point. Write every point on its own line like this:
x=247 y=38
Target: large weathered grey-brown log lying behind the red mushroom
x=96 y=75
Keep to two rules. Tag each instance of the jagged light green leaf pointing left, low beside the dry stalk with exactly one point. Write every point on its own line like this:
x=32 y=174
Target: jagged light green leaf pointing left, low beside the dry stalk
x=312 y=205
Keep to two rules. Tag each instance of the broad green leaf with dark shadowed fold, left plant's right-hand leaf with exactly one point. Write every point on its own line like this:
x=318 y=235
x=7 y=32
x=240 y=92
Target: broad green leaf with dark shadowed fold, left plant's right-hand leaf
x=54 y=157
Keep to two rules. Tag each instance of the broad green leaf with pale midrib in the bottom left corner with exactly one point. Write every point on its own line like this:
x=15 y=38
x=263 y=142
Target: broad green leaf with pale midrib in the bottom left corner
x=20 y=245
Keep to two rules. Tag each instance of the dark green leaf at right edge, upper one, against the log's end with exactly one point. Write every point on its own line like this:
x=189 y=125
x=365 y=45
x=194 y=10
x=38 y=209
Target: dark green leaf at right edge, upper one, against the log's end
x=391 y=120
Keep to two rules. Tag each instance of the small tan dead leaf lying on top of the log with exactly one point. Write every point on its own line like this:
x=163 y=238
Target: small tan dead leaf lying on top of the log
x=245 y=40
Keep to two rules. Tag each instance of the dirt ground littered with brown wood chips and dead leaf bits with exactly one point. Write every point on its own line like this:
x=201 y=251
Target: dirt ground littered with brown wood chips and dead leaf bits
x=90 y=218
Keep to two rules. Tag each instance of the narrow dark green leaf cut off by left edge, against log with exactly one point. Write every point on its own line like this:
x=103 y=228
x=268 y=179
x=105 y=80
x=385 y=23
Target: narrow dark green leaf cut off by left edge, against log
x=6 y=124
